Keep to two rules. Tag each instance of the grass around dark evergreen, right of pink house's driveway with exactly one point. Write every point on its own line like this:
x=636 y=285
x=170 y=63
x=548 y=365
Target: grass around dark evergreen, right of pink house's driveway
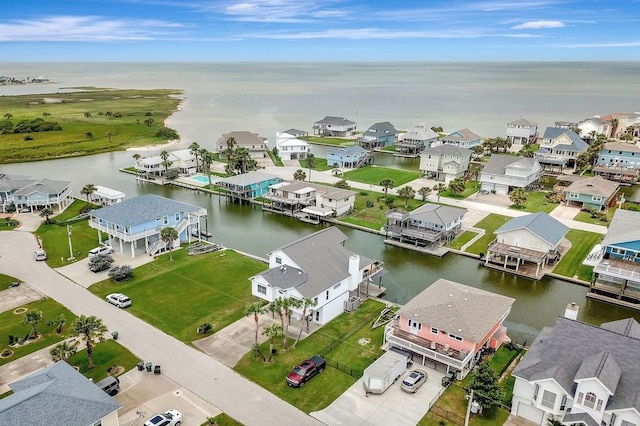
x=453 y=399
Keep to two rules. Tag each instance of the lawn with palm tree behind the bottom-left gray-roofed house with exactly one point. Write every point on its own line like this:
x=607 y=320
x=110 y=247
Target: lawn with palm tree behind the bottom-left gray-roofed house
x=105 y=355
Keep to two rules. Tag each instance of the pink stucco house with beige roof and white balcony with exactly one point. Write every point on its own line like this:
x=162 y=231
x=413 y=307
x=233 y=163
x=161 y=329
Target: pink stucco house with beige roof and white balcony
x=449 y=324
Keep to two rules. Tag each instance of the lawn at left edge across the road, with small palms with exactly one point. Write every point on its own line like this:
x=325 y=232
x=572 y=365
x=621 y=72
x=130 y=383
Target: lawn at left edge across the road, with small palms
x=12 y=325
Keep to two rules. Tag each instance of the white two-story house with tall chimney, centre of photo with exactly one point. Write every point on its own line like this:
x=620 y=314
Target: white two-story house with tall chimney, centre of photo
x=317 y=267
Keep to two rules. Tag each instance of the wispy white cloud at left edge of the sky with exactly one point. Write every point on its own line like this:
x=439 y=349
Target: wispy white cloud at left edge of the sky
x=83 y=28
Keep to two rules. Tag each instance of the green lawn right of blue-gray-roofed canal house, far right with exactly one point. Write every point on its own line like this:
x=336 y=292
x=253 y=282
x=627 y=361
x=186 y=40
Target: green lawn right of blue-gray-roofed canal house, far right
x=571 y=263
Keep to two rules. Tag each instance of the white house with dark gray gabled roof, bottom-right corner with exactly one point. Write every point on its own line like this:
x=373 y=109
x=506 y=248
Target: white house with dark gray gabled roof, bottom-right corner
x=581 y=374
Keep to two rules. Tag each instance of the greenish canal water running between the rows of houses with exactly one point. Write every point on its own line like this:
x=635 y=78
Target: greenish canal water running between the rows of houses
x=249 y=229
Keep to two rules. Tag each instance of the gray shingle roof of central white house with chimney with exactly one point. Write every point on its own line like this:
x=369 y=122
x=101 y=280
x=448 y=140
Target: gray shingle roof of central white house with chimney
x=323 y=258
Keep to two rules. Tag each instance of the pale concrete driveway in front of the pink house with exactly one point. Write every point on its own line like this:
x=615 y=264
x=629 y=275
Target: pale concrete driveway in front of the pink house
x=393 y=407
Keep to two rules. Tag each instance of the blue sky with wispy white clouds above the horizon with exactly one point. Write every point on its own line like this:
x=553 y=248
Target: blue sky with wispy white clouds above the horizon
x=327 y=30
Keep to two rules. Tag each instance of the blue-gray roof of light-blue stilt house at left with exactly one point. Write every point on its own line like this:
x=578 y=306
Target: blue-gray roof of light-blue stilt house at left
x=142 y=209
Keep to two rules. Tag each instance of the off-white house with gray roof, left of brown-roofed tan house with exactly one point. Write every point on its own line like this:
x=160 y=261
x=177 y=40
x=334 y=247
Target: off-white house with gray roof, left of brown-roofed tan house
x=502 y=173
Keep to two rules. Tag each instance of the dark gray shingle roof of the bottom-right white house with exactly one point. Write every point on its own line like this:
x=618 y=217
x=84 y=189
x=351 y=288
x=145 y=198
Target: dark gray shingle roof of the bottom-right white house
x=560 y=352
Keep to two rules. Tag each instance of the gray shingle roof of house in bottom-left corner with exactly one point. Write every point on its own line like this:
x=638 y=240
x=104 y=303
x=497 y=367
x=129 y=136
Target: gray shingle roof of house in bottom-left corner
x=56 y=395
